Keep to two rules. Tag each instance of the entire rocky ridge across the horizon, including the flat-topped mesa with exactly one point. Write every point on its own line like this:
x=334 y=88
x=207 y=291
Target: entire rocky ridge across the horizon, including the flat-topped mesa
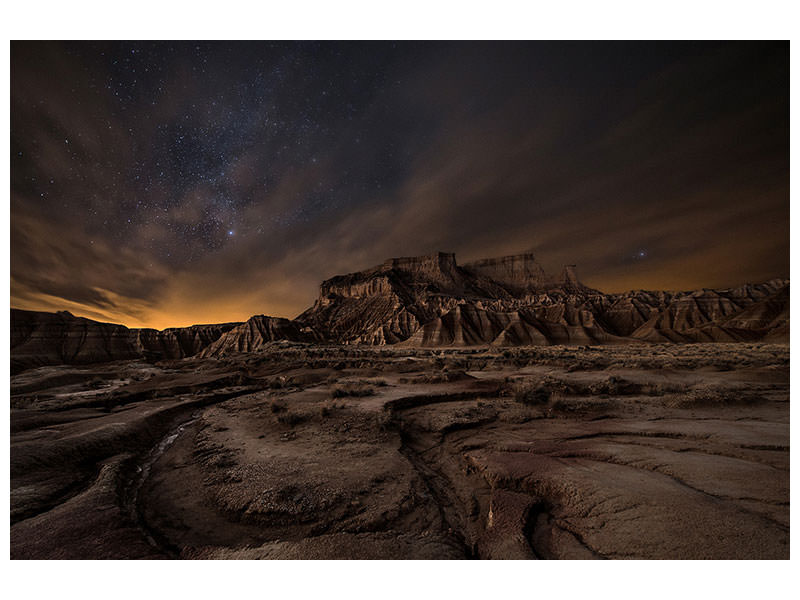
x=433 y=301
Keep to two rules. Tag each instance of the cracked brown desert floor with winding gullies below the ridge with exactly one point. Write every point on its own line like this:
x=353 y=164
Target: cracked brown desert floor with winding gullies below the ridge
x=309 y=452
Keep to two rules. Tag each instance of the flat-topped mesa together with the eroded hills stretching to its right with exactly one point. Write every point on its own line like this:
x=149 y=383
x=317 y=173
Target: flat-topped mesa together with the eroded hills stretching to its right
x=511 y=300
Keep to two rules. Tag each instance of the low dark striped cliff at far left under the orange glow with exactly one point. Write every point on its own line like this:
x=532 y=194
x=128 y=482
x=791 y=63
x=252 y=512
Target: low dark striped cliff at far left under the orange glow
x=42 y=338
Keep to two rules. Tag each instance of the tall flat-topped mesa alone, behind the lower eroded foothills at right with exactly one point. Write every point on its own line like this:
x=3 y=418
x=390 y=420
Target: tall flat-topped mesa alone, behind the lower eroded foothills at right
x=390 y=302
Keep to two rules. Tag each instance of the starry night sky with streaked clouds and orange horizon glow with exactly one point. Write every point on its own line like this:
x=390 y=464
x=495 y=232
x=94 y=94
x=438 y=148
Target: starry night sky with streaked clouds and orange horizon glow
x=164 y=184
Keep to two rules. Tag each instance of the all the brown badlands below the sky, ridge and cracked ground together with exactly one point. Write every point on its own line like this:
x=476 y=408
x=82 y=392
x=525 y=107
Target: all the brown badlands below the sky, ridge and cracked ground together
x=420 y=409
